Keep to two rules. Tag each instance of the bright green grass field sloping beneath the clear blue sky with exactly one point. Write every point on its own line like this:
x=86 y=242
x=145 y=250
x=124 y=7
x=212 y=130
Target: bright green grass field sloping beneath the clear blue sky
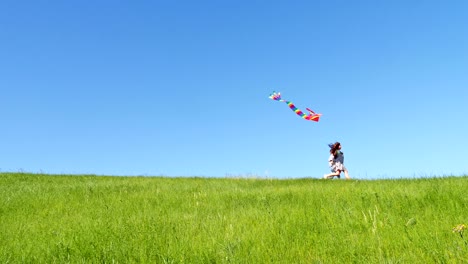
x=99 y=219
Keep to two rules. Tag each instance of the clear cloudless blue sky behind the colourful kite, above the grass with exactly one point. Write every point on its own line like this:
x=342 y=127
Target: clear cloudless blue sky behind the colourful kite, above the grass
x=180 y=88
